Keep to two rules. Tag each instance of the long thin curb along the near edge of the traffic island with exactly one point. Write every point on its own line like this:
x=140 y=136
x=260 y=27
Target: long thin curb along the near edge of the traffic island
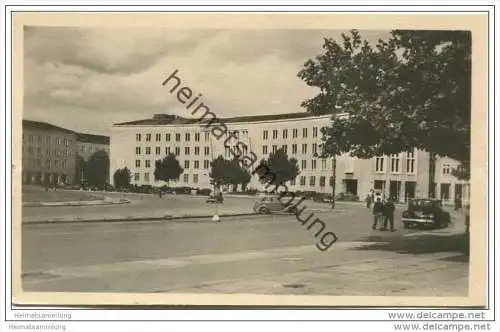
x=133 y=219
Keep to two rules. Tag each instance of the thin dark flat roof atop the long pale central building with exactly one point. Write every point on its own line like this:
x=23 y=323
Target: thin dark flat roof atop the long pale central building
x=168 y=119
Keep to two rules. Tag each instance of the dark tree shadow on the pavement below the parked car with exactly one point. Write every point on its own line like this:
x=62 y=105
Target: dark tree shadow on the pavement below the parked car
x=424 y=244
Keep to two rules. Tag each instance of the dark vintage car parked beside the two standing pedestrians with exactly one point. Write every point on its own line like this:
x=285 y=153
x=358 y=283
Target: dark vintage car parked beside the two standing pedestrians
x=425 y=212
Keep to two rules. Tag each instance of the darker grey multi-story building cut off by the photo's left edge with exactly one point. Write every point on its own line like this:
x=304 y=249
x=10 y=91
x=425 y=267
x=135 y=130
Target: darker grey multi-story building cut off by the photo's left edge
x=48 y=154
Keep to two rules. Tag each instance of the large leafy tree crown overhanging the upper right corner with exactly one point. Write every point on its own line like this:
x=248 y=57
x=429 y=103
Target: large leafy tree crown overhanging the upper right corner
x=410 y=91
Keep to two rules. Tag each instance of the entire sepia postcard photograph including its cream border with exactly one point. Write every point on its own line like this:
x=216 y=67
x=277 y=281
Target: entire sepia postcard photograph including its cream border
x=252 y=160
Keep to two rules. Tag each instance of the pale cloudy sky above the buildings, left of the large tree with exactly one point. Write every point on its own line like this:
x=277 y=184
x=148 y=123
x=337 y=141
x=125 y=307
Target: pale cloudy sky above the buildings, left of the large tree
x=86 y=79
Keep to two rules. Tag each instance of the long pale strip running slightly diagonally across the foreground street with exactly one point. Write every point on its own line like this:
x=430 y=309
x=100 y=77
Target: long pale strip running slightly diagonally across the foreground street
x=98 y=270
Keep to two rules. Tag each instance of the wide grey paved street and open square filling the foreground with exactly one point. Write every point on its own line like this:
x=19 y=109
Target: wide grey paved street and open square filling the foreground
x=253 y=254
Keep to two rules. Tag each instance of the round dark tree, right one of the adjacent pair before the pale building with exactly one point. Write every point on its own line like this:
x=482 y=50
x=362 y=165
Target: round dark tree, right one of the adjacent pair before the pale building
x=277 y=169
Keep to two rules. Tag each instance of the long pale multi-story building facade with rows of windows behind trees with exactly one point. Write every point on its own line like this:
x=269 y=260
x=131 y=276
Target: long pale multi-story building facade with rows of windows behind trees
x=138 y=144
